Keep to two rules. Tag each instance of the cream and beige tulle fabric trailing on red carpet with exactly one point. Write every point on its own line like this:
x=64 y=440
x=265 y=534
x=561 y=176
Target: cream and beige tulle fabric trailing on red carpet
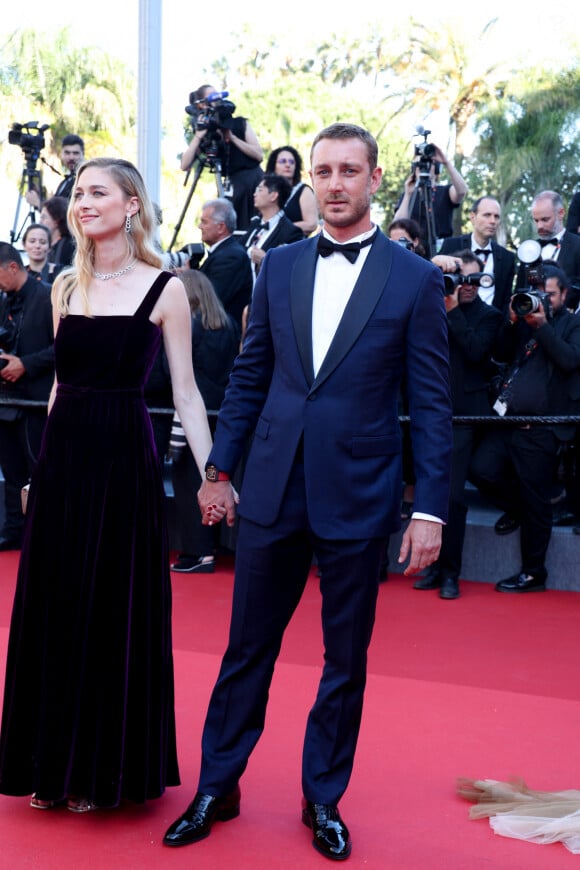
x=514 y=810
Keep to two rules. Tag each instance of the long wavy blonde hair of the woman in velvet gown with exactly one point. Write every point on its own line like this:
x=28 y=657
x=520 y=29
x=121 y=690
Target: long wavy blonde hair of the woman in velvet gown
x=140 y=240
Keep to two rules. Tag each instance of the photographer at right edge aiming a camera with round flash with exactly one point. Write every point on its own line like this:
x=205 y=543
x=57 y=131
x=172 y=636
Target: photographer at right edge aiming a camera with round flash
x=515 y=465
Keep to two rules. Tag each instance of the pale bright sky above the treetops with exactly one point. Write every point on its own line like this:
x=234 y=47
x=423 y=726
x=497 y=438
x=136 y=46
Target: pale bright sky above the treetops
x=194 y=33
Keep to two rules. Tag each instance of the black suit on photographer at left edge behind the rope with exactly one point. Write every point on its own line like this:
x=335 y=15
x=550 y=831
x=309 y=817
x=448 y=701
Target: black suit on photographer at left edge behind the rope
x=21 y=428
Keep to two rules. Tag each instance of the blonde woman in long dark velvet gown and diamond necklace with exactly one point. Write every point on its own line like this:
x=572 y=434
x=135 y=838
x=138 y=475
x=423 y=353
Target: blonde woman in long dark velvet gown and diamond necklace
x=88 y=716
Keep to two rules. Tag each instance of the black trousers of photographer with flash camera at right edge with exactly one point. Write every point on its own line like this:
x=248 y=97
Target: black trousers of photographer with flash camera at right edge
x=514 y=468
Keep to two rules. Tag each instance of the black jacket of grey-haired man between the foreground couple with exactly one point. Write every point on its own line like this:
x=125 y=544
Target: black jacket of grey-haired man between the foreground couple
x=229 y=270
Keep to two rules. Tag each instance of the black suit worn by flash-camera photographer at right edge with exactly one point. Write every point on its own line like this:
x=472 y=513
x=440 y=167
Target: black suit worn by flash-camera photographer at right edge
x=514 y=465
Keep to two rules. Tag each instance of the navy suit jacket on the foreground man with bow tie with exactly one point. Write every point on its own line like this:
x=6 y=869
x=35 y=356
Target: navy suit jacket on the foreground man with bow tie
x=347 y=414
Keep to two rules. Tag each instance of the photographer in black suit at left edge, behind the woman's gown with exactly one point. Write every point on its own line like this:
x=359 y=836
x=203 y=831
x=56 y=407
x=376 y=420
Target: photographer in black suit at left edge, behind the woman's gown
x=26 y=372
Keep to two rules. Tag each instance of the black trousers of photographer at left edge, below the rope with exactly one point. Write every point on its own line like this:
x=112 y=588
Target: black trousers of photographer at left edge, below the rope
x=20 y=442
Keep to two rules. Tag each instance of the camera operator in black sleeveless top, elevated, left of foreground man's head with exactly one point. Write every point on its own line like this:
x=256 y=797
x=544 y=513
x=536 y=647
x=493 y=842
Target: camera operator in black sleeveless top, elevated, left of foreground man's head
x=220 y=138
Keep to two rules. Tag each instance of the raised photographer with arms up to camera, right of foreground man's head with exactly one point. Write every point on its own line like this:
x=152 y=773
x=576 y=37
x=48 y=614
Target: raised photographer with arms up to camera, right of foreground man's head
x=427 y=201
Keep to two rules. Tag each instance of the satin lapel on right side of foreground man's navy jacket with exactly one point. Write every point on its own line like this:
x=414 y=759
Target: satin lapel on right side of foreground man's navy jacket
x=365 y=295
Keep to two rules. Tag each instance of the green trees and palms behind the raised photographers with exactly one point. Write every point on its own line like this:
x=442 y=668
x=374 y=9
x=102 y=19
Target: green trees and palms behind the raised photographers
x=512 y=128
